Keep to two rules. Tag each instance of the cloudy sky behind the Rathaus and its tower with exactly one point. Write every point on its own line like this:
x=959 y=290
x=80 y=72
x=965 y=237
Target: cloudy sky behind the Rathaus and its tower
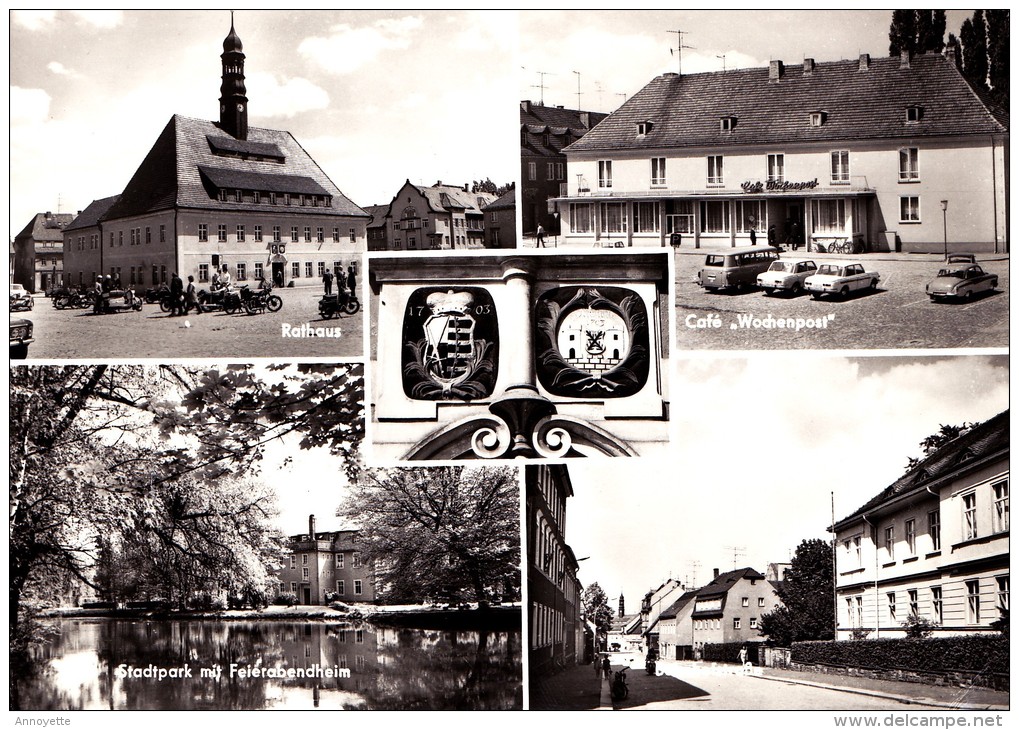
x=377 y=98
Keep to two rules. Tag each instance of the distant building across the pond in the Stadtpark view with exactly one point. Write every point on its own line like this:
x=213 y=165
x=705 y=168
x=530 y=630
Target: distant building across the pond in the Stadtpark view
x=327 y=563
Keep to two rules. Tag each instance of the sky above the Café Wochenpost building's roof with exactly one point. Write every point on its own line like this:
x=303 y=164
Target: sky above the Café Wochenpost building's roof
x=618 y=54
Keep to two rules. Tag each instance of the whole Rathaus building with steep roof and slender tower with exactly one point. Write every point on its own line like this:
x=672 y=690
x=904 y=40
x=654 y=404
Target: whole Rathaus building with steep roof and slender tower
x=210 y=195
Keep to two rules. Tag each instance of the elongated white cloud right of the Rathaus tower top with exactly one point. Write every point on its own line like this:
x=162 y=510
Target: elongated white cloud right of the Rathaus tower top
x=348 y=49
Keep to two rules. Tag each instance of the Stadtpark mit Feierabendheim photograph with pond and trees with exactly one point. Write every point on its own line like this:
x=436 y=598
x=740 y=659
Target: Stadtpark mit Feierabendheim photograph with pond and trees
x=190 y=539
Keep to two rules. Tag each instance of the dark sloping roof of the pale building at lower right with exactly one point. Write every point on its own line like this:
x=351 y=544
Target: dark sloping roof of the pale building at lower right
x=986 y=440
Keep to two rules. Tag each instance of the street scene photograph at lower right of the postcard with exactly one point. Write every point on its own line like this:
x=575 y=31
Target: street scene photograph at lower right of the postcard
x=715 y=588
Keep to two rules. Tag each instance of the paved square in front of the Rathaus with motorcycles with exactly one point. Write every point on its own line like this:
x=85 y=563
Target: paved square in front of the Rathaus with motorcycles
x=78 y=334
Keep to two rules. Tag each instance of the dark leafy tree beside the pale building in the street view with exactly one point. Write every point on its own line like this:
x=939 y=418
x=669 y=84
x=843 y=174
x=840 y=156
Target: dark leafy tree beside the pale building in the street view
x=808 y=612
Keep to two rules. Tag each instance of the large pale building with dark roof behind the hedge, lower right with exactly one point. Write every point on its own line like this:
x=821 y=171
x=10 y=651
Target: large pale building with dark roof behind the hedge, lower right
x=933 y=546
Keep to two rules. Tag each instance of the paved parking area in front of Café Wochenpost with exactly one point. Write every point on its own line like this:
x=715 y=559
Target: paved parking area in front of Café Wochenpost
x=897 y=316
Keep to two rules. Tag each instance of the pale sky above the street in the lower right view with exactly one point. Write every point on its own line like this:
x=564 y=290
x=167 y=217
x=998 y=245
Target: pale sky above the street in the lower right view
x=762 y=446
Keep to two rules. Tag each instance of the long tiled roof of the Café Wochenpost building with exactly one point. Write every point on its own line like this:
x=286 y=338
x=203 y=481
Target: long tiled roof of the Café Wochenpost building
x=685 y=112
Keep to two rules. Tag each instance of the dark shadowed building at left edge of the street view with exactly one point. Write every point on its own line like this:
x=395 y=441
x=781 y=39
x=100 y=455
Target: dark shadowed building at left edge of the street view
x=555 y=619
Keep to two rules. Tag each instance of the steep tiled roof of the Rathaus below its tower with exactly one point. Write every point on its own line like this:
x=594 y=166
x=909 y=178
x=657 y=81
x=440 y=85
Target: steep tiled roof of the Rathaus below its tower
x=172 y=173
